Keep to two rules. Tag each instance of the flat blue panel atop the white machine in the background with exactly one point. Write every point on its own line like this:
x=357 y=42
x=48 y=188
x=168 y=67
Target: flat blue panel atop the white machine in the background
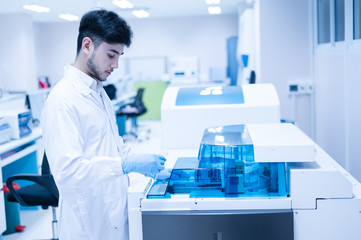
x=210 y=96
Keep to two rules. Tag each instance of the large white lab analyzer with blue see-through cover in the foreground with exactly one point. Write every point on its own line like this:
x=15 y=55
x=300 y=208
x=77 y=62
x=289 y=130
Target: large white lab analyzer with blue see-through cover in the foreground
x=250 y=181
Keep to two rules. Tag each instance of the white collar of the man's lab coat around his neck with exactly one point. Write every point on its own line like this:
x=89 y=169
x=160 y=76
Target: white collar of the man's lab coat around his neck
x=84 y=83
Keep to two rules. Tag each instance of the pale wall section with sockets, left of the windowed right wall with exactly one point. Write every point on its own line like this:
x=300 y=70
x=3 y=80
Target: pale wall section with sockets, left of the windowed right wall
x=285 y=52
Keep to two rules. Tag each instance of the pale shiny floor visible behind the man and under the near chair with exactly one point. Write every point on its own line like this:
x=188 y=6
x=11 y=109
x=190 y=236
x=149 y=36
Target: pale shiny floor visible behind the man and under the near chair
x=38 y=222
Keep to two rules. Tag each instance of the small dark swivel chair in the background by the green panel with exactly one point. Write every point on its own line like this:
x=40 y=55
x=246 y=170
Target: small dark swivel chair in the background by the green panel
x=132 y=111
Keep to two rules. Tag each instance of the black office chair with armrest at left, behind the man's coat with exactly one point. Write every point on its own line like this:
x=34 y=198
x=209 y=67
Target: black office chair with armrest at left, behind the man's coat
x=42 y=193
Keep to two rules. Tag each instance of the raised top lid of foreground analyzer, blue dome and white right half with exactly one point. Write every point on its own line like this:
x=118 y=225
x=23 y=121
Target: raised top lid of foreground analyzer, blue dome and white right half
x=273 y=142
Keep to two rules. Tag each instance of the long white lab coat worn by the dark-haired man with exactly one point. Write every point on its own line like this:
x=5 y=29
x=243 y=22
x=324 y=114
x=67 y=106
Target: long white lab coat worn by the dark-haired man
x=85 y=153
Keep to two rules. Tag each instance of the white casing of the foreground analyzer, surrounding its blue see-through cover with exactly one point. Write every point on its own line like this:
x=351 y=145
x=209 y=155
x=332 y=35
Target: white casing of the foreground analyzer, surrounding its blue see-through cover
x=325 y=200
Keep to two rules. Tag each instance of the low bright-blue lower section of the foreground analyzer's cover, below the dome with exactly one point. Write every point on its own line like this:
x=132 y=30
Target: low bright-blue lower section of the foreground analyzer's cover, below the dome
x=225 y=180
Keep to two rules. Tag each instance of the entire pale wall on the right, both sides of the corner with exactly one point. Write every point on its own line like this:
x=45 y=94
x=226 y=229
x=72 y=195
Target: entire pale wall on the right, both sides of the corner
x=286 y=52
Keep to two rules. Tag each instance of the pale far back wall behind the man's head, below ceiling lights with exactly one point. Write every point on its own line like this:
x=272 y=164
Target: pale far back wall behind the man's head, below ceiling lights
x=204 y=37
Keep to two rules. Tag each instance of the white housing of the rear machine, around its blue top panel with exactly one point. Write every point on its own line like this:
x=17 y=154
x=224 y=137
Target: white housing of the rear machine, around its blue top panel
x=183 y=126
